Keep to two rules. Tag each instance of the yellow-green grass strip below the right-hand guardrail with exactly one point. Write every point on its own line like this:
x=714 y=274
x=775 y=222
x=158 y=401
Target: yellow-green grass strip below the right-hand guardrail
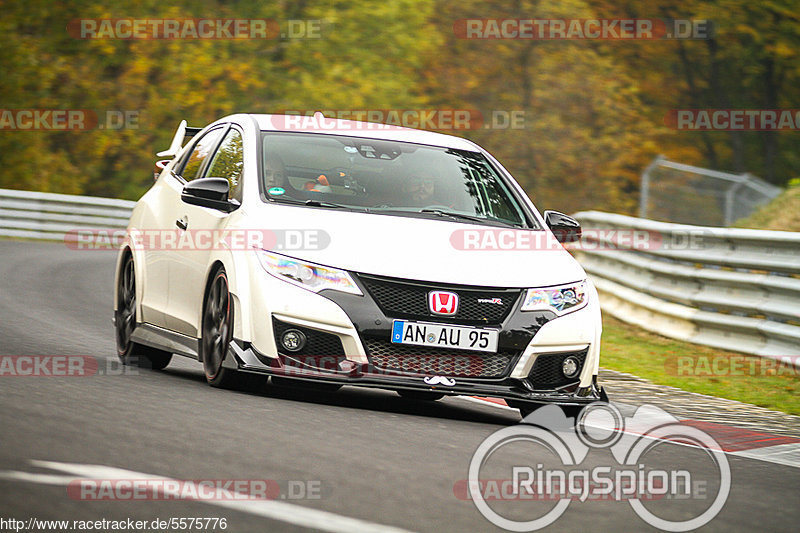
x=702 y=369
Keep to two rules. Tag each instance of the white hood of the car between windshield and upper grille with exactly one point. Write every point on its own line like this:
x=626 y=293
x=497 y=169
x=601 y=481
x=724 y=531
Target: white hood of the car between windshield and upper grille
x=434 y=250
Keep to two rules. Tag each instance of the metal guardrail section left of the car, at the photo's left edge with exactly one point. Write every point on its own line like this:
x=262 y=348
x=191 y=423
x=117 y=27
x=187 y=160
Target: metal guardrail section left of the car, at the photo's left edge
x=48 y=216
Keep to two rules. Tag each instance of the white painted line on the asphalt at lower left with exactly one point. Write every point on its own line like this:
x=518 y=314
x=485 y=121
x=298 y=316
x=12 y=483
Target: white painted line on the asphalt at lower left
x=274 y=510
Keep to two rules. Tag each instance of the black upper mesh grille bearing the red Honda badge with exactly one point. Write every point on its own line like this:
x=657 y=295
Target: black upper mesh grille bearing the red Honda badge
x=405 y=299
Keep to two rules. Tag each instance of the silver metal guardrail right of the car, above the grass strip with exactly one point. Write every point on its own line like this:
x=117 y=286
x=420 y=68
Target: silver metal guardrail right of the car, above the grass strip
x=735 y=289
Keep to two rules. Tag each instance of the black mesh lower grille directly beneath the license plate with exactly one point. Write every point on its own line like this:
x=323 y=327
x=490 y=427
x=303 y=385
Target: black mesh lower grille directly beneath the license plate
x=404 y=359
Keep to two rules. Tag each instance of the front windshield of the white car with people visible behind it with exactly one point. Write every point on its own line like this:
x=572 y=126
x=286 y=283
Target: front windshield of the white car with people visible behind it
x=386 y=177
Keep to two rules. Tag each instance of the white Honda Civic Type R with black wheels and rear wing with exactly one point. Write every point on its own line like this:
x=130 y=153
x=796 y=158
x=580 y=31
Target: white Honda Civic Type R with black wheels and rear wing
x=328 y=252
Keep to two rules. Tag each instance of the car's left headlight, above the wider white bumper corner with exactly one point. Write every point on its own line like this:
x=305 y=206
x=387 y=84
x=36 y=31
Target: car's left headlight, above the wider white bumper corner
x=307 y=275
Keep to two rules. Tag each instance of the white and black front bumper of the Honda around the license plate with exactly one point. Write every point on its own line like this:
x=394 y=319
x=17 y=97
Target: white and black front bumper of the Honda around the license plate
x=358 y=322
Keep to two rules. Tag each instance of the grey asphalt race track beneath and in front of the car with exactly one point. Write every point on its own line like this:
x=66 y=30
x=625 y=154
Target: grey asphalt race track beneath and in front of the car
x=369 y=455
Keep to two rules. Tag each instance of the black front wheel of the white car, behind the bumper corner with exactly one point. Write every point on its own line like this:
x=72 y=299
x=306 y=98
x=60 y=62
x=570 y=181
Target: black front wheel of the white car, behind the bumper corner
x=216 y=336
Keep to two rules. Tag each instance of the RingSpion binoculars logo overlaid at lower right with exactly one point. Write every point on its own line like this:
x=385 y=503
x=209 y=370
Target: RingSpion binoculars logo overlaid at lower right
x=633 y=476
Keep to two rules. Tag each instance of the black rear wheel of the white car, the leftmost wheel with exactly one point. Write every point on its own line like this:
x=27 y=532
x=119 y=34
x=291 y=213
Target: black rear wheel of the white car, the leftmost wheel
x=132 y=353
